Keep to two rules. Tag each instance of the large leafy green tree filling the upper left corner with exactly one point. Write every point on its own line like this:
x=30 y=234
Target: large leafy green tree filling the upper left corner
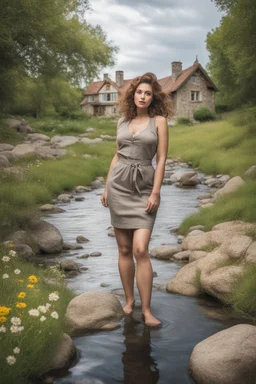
x=49 y=38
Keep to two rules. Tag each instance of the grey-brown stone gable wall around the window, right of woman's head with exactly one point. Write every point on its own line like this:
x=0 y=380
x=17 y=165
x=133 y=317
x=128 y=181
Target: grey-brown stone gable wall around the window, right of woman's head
x=184 y=105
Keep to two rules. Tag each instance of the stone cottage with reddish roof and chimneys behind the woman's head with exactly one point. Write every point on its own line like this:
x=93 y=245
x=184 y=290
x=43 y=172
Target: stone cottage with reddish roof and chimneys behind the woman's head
x=189 y=89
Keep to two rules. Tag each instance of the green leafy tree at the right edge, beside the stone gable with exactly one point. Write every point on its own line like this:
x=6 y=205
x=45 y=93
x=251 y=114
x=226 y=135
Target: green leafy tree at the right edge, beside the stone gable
x=232 y=48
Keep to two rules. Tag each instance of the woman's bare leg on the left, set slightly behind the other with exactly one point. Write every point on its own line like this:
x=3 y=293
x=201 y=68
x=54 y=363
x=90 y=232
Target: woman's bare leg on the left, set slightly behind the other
x=126 y=266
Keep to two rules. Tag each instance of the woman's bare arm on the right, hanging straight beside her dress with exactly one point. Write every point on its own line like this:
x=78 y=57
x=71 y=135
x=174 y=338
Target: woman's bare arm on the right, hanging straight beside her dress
x=162 y=151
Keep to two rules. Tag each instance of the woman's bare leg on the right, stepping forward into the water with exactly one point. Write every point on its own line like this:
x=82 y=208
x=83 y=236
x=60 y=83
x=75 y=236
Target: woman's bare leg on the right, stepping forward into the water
x=144 y=273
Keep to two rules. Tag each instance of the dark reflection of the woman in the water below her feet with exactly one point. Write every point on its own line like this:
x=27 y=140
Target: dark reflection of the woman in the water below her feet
x=138 y=364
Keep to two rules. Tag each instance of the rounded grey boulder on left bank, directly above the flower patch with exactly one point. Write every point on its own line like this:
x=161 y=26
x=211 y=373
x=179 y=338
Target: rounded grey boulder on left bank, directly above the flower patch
x=47 y=237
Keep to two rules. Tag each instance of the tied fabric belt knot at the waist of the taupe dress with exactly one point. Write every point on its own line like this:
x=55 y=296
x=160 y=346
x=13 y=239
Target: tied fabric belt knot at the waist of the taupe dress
x=132 y=171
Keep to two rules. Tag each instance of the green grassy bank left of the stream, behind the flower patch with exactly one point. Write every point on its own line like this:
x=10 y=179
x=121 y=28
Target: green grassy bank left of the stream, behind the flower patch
x=40 y=181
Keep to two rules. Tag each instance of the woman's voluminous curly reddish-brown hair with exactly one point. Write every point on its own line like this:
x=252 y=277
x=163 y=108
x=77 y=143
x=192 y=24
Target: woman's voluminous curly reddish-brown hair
x=160 y=105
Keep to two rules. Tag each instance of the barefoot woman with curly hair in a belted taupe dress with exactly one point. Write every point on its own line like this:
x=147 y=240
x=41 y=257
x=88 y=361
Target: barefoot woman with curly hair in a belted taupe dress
x=132 y=189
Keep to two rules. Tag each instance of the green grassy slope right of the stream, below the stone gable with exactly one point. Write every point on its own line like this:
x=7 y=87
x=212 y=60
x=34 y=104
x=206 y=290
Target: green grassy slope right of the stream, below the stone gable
x=220 y=147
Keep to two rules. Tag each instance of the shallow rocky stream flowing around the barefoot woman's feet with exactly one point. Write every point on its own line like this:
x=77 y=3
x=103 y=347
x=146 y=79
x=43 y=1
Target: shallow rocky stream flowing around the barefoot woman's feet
x=135 y=354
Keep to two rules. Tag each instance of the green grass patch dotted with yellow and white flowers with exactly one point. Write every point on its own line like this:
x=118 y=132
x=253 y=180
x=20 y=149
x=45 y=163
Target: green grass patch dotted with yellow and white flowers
x=39 y=339
